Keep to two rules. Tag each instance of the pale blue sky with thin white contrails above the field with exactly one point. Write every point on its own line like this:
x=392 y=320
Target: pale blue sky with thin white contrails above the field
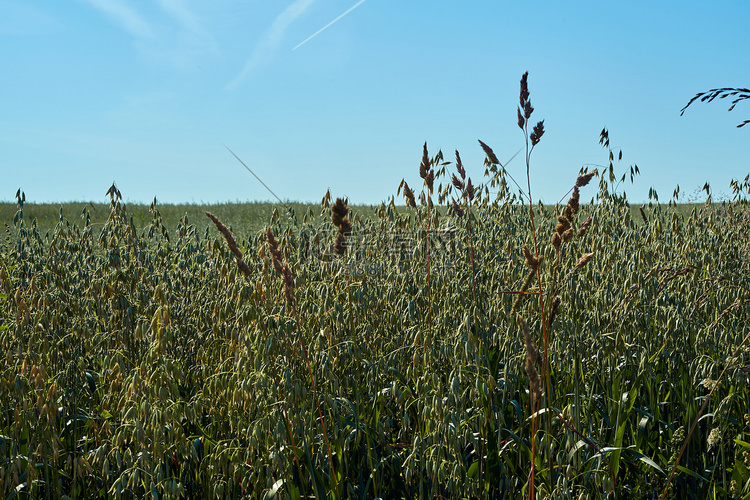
x=146 y=92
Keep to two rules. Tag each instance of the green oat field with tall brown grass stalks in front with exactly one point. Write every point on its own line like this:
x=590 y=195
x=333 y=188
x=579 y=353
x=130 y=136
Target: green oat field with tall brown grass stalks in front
x=455 y=342
